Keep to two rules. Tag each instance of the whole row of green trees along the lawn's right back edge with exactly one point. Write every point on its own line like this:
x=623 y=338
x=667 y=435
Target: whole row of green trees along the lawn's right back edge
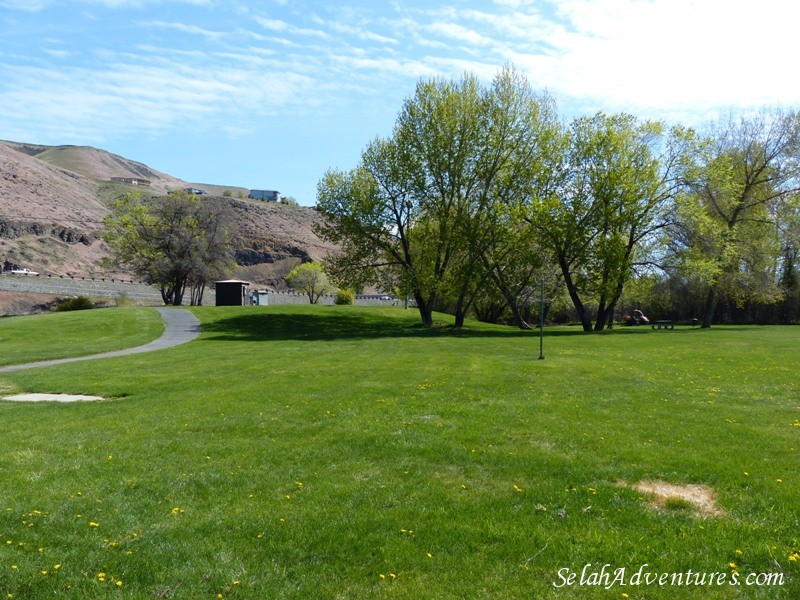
x=480 y=192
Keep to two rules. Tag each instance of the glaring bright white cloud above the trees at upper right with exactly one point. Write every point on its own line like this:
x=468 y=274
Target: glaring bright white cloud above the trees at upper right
x=670 y=54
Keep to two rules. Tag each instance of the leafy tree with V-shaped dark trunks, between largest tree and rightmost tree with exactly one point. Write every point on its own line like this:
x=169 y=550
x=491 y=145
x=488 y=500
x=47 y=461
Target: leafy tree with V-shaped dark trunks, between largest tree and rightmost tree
x=612 y=195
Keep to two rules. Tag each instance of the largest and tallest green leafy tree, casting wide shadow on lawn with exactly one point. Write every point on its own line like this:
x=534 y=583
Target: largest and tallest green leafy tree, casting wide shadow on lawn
x=418 y=213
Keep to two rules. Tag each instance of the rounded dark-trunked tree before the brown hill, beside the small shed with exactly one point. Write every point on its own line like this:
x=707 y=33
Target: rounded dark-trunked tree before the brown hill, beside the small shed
x=177 y=242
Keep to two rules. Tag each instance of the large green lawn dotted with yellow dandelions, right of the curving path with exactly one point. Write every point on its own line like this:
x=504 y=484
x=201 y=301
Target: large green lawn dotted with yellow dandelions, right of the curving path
x=345 y=452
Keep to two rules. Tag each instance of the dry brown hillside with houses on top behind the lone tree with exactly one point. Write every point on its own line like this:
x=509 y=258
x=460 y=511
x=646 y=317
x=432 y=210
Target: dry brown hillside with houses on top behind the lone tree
x=53 y=200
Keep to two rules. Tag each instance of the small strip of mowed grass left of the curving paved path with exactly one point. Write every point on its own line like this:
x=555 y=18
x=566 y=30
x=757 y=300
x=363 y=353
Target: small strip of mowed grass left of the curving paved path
x=66 y=334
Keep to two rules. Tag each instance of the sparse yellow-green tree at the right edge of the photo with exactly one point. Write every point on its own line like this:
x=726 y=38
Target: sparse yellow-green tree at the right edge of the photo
x=727 y=233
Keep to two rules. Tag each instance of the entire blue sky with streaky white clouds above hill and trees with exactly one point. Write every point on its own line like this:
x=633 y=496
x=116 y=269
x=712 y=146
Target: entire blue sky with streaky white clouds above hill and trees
x=270 y=94
